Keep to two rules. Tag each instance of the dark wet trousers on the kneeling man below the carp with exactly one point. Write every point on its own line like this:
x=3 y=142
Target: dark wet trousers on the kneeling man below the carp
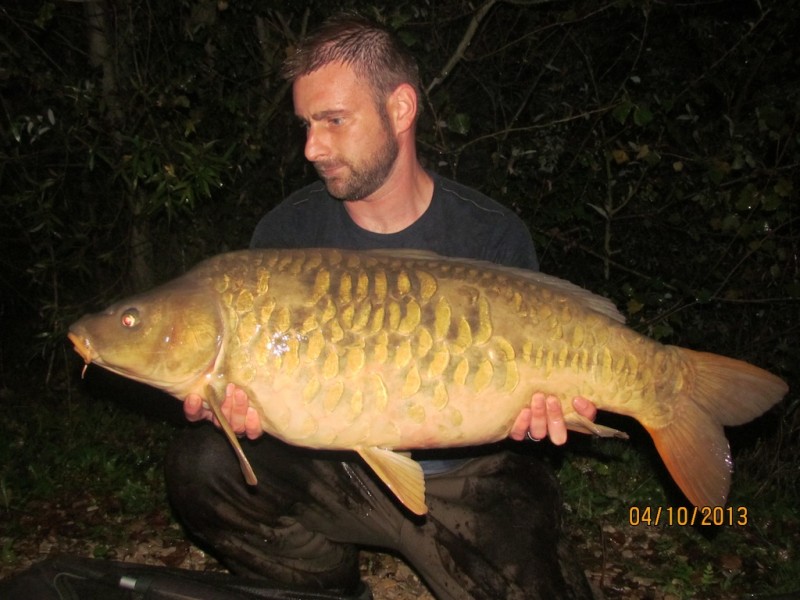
x=493 y=529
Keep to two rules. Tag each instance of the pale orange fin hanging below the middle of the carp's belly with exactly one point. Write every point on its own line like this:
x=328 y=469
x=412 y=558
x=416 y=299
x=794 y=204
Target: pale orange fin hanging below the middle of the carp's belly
x=400 y=473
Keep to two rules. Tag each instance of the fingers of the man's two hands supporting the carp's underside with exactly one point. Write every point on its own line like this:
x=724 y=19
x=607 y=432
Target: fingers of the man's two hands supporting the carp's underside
x=543 y=418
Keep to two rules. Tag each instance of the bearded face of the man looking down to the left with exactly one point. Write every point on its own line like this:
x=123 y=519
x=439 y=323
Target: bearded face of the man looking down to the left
x=349 y=140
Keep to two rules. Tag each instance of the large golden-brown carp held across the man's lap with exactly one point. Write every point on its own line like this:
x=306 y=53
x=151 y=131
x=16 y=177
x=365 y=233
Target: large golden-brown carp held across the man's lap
x=375 y=351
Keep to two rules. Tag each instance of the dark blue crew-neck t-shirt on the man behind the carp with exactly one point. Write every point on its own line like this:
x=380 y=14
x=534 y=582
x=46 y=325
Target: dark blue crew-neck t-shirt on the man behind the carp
x=460 y=222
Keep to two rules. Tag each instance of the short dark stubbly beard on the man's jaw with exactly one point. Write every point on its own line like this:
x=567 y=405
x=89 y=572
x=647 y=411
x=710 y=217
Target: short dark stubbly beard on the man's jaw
x=360 y=180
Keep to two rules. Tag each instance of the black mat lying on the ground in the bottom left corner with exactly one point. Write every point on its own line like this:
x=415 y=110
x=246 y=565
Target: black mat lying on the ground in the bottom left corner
x=74 y=578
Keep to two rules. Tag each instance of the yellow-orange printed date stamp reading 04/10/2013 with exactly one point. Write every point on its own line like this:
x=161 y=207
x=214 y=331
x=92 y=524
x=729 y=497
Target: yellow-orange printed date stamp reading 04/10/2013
x=687 y=516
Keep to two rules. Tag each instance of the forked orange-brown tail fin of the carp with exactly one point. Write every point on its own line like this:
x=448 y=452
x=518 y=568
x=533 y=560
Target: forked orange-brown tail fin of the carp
x=717 y=391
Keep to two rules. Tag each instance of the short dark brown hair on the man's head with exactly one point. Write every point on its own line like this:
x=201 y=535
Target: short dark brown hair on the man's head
x=374 y=53
